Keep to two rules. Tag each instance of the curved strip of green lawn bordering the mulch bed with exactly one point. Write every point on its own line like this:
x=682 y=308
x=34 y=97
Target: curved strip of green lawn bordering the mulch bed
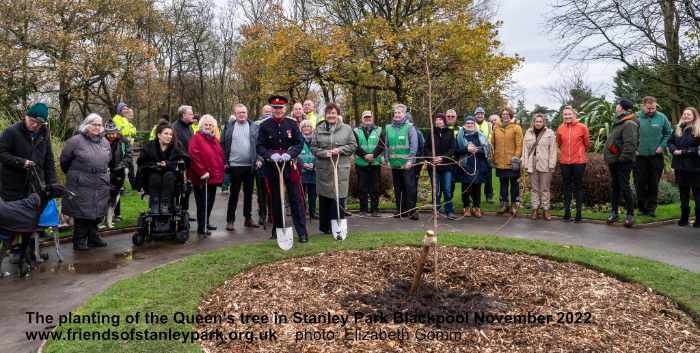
x=181 y=285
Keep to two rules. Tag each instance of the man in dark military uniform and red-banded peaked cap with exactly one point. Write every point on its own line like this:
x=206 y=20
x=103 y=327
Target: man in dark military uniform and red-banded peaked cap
x=280 y=140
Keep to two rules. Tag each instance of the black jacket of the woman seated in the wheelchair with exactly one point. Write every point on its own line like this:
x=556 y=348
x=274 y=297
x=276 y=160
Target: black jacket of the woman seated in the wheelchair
x=151 y=154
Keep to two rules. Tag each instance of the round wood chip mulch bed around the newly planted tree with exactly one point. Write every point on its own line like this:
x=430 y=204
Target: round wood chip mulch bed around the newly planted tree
x=598 y=313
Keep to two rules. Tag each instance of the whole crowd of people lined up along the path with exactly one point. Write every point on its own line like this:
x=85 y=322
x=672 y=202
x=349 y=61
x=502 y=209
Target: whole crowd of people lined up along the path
x=313 y=155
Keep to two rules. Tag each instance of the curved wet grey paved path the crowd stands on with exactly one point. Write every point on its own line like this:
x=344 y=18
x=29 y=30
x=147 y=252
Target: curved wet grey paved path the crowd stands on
x=59 y=288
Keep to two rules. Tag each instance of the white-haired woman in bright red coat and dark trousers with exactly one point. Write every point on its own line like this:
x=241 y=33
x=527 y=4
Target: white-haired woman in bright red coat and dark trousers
x=206 y=171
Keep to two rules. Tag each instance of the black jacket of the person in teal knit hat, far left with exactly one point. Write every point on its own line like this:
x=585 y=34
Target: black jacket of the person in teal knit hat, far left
x=17 y=146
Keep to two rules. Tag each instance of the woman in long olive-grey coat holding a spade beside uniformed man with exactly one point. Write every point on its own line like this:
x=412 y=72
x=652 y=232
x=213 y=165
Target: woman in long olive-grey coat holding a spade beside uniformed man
x=332 y=139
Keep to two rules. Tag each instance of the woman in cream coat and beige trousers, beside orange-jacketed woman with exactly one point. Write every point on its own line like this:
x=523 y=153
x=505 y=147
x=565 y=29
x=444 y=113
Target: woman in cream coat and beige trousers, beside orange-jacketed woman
x=539 y=160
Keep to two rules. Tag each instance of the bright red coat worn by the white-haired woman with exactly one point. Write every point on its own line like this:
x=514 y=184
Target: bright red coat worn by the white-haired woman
x=207 y=156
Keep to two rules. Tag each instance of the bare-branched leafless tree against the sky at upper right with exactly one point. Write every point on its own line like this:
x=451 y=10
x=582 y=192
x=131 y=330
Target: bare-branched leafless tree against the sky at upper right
x=632 y=32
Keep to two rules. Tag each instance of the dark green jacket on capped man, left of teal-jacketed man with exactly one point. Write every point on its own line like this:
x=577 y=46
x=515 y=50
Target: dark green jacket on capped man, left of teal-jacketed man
x=623 y=139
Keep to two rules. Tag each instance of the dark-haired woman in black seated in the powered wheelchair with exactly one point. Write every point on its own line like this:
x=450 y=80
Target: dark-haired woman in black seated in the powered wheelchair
x=158 y=167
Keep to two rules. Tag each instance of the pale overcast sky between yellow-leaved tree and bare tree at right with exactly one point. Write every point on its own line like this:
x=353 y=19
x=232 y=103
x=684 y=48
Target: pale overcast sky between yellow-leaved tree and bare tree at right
x=523 y=32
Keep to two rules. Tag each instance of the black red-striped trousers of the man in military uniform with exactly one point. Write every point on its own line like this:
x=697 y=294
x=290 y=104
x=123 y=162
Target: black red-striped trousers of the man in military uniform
x=294 y=197
